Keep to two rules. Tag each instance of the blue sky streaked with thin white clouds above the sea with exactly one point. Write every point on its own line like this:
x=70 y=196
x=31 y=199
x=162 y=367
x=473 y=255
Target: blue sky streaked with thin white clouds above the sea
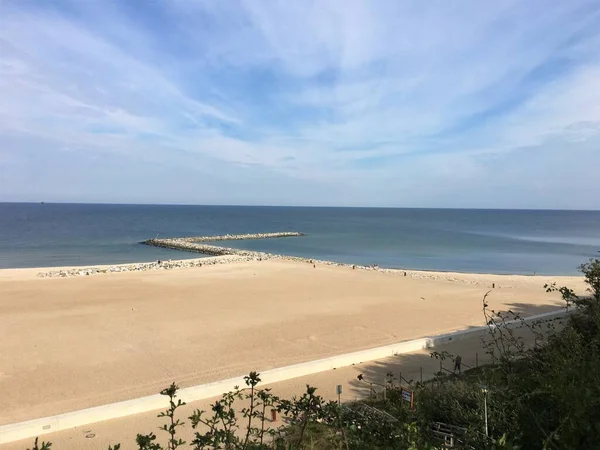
x=350 y=103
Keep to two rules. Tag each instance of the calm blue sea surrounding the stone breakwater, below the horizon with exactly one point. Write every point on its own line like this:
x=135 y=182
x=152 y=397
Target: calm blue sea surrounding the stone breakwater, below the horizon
x=496 y=241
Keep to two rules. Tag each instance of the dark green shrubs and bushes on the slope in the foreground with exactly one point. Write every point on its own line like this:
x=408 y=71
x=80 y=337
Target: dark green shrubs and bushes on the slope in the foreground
x=542 y=392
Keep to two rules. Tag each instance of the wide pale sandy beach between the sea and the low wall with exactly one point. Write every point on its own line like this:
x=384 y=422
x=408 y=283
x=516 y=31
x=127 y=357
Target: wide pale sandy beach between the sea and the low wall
x=72 y=343
